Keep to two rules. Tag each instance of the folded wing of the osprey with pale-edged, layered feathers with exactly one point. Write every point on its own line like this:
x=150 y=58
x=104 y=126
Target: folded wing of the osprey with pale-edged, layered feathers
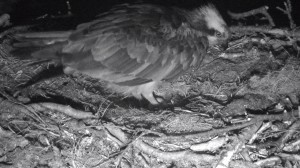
x=128 y=46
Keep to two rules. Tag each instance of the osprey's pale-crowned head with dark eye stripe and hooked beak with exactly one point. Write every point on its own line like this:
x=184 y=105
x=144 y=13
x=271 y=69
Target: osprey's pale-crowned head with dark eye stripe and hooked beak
x=210 y=23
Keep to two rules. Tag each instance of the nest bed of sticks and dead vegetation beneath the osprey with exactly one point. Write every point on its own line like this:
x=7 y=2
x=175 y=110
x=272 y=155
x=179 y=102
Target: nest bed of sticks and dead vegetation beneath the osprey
x=240 y=109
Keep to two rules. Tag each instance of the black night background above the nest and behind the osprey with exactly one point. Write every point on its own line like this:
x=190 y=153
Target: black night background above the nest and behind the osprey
x=27 y=11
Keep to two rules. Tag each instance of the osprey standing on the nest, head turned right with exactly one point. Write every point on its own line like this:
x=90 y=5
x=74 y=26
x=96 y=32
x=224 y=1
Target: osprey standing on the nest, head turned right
x=133 y=48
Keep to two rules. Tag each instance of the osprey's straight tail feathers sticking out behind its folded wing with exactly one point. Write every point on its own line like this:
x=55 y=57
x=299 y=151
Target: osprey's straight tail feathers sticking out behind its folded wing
x=40 y=45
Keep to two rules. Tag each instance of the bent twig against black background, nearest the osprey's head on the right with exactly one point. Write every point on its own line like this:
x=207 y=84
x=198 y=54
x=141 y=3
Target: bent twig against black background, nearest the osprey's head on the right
x=262 y=10
